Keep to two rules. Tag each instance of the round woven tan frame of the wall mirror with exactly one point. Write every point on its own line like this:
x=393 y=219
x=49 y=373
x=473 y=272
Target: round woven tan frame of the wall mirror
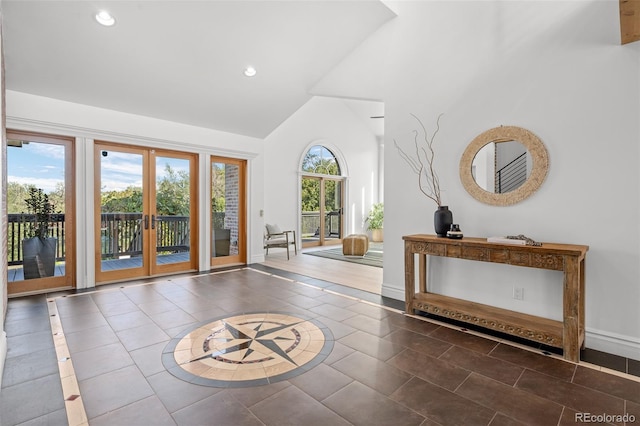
x=539 y=170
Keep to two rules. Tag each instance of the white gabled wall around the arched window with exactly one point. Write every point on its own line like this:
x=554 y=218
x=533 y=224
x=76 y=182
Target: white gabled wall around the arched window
x=329 y=122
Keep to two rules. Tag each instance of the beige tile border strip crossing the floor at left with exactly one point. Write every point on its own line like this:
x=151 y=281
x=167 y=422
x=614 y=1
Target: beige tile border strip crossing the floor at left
x=76 y=414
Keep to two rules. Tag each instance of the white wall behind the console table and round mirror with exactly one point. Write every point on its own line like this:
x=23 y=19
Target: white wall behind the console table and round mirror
x=559 y=70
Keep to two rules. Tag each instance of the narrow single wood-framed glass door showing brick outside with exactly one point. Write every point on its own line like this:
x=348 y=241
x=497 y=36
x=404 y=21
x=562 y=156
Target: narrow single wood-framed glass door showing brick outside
x=227 y=211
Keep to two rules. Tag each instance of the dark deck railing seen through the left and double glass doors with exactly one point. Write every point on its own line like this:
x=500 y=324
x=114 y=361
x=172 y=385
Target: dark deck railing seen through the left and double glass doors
x=119 y=236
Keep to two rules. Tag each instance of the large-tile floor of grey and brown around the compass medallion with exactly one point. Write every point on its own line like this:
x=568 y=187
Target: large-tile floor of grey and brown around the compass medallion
x=385 y=368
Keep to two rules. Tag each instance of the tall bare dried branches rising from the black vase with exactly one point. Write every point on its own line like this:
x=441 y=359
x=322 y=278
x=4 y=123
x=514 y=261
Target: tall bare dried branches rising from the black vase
x=421 y=162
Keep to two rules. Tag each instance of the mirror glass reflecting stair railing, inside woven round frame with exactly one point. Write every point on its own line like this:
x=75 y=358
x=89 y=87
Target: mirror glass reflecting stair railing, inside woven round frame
x=501 y=166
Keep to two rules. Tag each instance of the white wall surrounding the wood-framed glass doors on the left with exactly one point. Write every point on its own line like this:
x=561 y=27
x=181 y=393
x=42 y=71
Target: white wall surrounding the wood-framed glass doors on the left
x=35 y=113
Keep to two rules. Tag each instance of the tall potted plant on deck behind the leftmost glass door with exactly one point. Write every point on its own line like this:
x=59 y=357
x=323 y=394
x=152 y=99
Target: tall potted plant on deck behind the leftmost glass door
x=38 y=248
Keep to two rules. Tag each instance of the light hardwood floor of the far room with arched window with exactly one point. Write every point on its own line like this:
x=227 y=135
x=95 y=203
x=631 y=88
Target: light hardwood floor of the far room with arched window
x=362 y=277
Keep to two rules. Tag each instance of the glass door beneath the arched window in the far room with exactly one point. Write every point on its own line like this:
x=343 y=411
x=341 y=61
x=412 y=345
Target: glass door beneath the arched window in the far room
x=322 y=211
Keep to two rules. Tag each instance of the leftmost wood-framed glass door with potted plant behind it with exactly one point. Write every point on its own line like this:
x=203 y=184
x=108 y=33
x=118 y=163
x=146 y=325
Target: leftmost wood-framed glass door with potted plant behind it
x=40 y=232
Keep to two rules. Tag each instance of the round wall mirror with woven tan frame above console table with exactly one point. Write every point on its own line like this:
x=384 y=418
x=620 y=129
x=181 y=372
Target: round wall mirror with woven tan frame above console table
x=504 y=165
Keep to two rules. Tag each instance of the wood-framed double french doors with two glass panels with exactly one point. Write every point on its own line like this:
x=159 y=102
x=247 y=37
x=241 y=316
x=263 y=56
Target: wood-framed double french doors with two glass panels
x=145 y=212
